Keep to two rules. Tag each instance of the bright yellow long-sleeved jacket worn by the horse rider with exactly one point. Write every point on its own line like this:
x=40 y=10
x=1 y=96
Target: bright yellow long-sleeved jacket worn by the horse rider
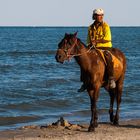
x=102 y=32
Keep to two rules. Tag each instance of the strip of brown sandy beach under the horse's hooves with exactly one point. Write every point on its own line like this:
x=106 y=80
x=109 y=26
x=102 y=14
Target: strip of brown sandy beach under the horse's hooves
x=127 y=130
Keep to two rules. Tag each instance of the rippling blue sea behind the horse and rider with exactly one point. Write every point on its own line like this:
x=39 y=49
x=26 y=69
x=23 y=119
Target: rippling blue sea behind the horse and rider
x=36 y=90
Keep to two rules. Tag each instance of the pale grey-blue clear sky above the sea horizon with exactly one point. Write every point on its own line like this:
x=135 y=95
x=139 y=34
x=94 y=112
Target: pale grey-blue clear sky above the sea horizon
x=68 y=12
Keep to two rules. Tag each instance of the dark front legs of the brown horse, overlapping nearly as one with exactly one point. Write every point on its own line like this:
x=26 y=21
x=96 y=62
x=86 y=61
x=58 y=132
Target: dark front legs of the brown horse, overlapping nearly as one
x=94 y=117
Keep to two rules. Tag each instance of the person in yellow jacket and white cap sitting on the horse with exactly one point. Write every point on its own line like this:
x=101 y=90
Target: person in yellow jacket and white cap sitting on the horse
x=99 y=36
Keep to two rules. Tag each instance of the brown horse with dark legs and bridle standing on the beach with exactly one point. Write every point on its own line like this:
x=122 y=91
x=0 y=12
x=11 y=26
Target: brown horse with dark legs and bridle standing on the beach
x=93 y=73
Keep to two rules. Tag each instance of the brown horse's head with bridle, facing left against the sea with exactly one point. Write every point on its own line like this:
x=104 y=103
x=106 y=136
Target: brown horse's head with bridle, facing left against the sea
x=66 y=47
